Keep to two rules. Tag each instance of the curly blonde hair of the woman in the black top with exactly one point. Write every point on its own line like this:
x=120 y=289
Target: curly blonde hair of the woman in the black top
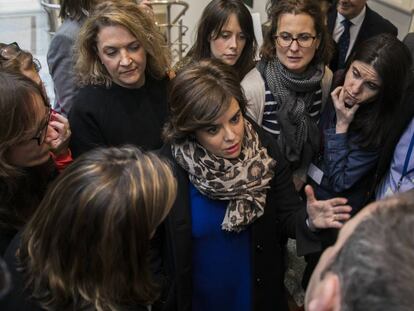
x=88 y=67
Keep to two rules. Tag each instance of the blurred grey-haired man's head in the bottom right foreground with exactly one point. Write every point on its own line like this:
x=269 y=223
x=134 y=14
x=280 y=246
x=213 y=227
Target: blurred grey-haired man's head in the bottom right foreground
x=371 y=265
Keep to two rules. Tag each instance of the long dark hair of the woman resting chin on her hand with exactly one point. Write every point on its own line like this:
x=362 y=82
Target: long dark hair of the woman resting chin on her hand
x=392 y=61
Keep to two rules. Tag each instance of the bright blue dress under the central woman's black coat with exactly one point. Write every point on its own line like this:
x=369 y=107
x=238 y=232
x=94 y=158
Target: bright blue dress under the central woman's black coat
x=222 y=266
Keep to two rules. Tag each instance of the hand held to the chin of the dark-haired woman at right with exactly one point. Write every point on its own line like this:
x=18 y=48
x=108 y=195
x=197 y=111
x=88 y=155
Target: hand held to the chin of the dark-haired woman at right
x=344 y=114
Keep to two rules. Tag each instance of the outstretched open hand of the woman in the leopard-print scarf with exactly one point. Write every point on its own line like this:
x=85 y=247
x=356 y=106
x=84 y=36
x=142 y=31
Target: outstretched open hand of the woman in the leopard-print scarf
x=326 y=214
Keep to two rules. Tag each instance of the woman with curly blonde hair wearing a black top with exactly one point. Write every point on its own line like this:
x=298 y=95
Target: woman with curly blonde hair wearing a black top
x=121 y=64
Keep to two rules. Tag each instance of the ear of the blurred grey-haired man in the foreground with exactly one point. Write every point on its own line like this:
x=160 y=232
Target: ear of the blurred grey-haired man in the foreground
x=327 y=297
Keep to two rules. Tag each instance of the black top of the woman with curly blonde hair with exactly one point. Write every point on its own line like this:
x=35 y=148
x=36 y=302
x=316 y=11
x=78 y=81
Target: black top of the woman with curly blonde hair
x=117 y=115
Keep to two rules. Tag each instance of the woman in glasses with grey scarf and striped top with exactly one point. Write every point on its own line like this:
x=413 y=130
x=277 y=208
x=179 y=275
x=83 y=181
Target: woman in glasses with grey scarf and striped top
x=289 y=86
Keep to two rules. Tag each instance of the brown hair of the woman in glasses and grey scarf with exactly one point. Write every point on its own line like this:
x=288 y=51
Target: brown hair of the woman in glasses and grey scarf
x=313 y=9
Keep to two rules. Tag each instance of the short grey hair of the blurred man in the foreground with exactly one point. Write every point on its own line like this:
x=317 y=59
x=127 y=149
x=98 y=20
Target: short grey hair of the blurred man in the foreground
x=375 y=266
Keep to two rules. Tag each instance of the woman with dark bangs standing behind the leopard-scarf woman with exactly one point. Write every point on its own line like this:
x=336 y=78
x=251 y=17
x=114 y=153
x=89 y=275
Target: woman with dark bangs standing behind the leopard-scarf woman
x=225 y=32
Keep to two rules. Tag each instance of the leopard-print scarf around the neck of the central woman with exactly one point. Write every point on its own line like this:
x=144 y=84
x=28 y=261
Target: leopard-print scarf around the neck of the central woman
x=243 y=181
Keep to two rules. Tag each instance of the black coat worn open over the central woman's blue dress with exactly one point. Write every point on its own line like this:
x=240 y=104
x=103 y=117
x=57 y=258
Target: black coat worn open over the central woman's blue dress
x=284 y=216
